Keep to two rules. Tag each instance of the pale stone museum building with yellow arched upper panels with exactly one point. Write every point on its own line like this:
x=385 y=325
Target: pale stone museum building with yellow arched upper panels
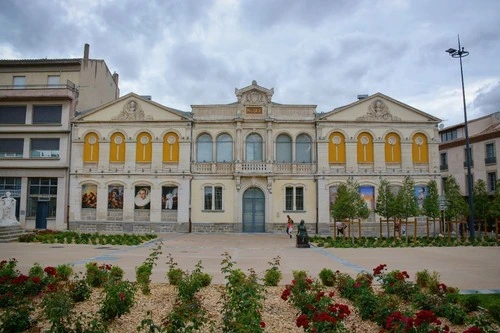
x=239 y=167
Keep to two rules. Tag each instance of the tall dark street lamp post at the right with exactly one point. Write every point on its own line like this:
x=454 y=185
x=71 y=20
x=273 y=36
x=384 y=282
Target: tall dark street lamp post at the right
x=460 y=53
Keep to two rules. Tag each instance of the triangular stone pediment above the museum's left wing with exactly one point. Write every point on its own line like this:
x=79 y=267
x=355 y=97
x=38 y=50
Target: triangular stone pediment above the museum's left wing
x=132 y=108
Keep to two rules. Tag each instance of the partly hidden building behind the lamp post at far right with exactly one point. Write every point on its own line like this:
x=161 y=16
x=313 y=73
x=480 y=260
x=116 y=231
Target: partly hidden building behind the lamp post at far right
x=484 y=142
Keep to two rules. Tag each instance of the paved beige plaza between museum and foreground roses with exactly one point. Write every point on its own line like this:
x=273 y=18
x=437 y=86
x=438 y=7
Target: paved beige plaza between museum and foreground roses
x=469 y=268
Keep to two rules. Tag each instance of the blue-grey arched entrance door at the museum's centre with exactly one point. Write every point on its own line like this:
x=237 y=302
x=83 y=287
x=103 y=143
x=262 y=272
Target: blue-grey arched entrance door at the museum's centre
x=254 y=210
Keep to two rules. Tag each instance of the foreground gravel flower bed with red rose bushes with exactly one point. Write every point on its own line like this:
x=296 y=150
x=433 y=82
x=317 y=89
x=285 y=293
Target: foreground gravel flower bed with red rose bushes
x=382 y=301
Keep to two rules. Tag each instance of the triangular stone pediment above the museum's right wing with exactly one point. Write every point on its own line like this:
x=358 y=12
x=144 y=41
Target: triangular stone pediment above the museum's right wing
x=378 y=108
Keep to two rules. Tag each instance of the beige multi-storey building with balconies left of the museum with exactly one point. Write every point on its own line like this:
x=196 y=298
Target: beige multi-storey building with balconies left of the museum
x=38 y=100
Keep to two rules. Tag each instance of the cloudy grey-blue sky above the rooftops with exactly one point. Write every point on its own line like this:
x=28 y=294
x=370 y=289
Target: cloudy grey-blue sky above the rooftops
x=322 y=52
